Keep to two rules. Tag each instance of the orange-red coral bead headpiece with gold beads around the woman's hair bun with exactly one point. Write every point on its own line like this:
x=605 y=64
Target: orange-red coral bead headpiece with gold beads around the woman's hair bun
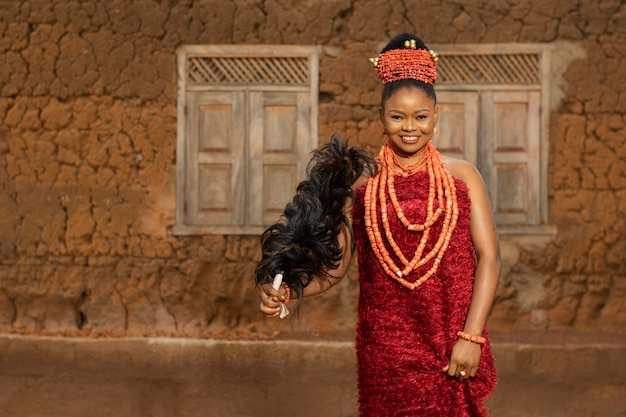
x=400 y=64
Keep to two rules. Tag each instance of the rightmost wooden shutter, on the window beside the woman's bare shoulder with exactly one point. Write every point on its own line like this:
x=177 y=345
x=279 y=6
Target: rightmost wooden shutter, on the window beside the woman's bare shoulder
x=510 y=144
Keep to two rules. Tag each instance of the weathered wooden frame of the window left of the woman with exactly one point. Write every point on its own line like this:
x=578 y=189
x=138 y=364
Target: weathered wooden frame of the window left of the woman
x=304 y=145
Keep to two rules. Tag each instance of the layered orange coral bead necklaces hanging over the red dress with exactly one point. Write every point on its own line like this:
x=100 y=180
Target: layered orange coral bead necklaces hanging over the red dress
x=441 y=200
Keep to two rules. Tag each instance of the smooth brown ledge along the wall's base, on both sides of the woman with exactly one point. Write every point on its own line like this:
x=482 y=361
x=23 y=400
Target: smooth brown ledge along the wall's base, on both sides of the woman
x=140 y=377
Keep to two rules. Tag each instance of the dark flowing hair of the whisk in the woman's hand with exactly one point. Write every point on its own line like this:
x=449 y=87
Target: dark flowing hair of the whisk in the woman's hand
x=304 y=243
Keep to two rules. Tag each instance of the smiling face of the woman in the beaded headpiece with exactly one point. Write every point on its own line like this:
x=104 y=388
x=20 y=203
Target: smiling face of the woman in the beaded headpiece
x=409 y=117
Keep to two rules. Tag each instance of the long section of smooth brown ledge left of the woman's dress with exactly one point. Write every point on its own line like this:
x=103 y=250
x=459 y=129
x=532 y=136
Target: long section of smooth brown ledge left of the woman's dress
x=42 y=376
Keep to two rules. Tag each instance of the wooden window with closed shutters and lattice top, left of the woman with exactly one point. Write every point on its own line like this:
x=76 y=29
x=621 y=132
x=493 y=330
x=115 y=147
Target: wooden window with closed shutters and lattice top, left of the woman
x=247 y=122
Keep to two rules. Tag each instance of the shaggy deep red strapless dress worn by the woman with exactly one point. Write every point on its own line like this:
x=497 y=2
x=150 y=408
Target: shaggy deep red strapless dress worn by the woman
x=405 y=337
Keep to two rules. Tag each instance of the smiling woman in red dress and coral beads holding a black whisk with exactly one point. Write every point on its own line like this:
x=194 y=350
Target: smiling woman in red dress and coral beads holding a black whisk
x=427 y=250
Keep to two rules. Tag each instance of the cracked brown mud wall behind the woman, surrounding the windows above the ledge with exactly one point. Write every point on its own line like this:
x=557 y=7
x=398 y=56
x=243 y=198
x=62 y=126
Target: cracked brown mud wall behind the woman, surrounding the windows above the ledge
x=87 y=161
